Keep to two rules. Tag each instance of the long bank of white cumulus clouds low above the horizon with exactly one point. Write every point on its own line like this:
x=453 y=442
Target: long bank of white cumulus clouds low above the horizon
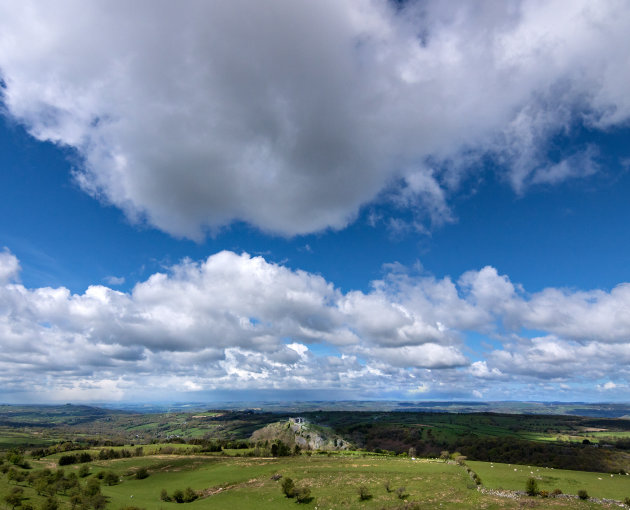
x=239 y=323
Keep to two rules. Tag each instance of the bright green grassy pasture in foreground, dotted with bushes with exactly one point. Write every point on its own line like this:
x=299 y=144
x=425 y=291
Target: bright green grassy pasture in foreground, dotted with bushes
x=244 y=483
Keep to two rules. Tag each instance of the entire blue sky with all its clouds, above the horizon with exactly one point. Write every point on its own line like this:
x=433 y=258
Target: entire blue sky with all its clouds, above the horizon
x=325 y=202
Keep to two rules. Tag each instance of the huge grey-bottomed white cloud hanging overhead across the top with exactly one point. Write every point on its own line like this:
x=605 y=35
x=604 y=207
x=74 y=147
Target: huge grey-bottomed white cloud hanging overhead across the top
x=291 y=115
